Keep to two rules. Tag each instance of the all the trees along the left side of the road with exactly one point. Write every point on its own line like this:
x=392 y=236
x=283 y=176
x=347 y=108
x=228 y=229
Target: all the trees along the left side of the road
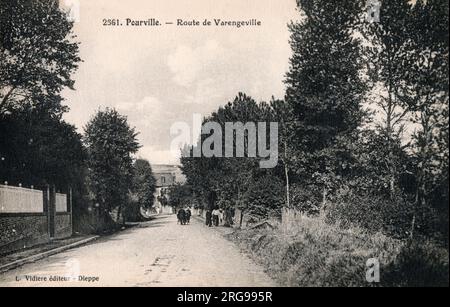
x=38 y=55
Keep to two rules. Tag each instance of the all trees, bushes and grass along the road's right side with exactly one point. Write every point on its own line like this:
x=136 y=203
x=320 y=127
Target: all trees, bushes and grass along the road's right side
x=363 y=148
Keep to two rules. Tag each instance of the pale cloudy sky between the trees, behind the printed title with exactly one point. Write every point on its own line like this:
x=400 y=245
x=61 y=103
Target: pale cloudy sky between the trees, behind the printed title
x=160 y=75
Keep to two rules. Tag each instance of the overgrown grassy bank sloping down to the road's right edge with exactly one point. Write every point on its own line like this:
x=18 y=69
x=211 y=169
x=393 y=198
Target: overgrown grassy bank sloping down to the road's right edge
x=319 y=254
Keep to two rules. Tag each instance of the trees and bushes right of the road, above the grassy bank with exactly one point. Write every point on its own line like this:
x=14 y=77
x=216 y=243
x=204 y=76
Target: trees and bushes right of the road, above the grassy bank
x=365 y=117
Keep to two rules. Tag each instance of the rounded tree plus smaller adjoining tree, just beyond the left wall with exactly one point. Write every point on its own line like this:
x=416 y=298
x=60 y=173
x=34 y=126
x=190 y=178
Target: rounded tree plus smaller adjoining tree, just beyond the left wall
x=115 y=179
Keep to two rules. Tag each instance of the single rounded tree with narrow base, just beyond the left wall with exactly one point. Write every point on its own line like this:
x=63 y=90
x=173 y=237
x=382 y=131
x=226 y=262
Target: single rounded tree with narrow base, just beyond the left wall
x=110 y=143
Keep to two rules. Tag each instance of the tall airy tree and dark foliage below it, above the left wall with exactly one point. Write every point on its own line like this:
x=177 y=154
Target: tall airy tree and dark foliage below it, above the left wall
x=37 y=58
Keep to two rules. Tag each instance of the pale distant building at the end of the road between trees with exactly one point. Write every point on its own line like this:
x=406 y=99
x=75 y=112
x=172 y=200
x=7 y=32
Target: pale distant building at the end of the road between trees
x=166 y=175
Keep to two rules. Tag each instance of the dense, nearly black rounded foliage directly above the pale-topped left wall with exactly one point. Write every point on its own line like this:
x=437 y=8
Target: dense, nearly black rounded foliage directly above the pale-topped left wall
x=38 y=149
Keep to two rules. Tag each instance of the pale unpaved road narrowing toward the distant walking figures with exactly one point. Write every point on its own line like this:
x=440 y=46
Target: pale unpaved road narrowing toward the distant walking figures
x=156 y=253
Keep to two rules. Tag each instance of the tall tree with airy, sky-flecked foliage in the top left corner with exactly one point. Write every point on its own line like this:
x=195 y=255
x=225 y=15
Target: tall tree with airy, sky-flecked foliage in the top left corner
x=37 y=54
